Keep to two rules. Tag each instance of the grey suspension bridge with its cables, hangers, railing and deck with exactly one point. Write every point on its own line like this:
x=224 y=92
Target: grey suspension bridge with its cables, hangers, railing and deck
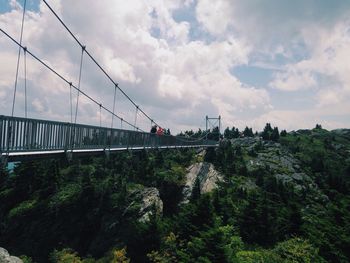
x=23 y=137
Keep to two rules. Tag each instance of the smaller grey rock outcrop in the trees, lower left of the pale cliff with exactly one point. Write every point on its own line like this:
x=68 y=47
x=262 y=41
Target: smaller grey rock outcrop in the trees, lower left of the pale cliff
x=145 y=202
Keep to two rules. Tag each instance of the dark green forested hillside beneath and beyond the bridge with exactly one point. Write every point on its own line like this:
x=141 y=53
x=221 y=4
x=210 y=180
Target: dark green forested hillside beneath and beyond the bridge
x=284 y=197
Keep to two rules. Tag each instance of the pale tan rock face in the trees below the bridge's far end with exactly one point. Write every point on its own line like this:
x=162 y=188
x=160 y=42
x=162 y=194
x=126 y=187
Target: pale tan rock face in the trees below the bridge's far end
x=206 y=174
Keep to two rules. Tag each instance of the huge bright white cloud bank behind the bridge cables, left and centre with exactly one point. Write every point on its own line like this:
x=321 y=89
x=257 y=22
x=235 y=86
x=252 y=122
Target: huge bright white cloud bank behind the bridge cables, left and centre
x=166 y=74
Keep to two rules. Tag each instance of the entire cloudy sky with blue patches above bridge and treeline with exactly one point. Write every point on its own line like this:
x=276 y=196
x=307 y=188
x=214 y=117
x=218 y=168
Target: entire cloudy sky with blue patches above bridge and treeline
x=252 y=61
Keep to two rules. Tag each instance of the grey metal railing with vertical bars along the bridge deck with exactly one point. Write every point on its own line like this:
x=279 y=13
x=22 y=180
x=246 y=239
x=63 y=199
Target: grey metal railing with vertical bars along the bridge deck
x=30 y=135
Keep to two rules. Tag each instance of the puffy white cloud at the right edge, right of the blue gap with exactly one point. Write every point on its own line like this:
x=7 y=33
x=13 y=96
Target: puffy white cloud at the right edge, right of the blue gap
x=326 y=69
